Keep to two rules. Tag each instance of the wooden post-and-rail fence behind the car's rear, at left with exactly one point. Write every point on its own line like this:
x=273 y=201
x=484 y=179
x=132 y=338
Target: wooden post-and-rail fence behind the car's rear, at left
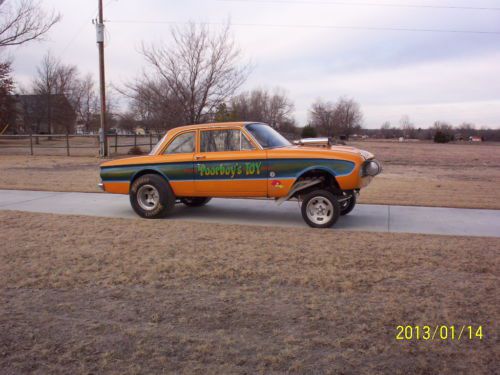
x=74 y=144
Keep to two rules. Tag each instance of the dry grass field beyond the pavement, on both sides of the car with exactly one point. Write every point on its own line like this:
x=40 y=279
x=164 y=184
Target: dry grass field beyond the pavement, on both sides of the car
x=415 y=173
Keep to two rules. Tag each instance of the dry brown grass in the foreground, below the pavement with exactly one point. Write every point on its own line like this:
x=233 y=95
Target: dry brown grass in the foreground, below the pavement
x=94 y=295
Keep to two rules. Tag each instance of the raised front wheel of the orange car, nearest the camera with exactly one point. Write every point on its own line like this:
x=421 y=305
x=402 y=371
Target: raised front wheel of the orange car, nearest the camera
x=320 y=209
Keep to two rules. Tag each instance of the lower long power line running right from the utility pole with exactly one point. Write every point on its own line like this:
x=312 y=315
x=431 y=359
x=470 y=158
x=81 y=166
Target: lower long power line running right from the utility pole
x=325 y=27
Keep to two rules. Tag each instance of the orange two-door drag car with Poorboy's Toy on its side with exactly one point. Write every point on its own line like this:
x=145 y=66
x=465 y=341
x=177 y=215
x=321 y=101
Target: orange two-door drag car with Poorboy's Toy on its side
x=192 y=164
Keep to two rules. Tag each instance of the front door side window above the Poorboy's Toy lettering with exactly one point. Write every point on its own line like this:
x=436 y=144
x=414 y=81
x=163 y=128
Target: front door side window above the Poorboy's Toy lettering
x=224 y=140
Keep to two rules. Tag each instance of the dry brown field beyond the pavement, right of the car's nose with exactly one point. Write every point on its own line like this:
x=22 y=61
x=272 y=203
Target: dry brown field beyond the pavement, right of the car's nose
x=429 y=174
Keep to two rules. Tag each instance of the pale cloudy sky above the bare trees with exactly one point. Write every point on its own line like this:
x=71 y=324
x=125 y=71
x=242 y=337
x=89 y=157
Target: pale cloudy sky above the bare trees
x=311 y=49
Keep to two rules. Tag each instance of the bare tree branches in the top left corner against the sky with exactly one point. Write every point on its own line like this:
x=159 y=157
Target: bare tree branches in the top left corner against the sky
x=22 y=21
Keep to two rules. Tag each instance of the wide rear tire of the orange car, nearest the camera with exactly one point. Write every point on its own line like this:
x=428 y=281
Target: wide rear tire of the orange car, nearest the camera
x=151 y=196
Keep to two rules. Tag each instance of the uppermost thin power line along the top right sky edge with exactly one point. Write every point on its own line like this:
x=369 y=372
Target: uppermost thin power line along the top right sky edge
x=345 y=3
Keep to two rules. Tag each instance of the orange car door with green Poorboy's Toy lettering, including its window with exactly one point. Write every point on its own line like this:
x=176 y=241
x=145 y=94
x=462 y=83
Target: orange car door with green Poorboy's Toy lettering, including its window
x=228 y=163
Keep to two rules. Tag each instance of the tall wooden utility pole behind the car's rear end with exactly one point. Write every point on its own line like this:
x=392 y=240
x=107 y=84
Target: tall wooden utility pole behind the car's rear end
x=103 y=139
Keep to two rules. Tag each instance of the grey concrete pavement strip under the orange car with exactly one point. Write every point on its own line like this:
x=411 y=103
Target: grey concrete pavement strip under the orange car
x=365 y=217
